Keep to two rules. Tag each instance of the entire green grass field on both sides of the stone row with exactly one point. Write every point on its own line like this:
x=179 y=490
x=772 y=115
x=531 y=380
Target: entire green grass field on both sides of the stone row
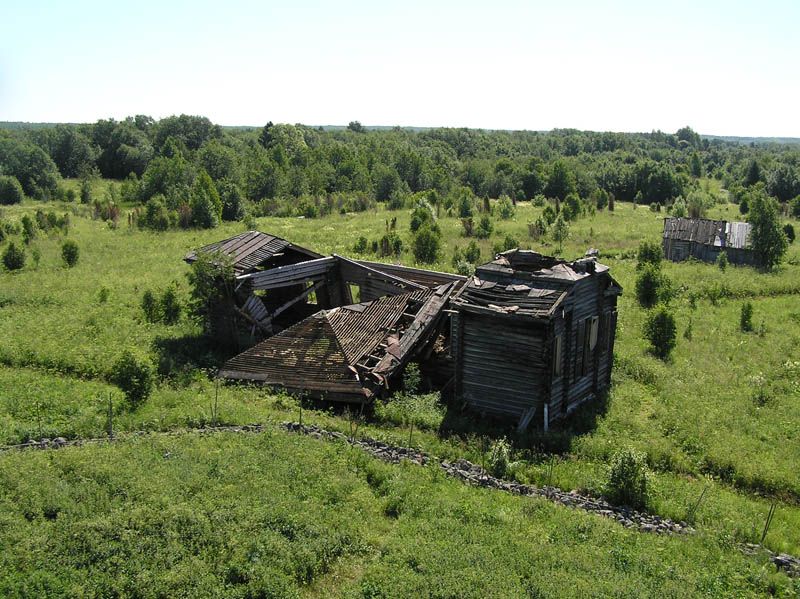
x=722 y=415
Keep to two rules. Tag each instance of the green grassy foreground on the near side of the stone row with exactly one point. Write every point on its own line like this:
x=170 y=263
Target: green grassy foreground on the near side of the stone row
x=231 y=516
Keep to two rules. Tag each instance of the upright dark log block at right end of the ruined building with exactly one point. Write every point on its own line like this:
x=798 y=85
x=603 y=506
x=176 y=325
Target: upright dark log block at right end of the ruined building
x=532 y=336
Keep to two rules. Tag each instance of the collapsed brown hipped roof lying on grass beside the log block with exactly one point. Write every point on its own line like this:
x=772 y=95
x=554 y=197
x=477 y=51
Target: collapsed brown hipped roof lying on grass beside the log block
x=347 y=353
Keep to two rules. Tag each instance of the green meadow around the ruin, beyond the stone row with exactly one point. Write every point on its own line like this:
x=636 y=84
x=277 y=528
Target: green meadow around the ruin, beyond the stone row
x=695 y=416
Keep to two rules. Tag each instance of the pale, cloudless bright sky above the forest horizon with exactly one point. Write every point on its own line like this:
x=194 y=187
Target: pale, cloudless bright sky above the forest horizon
x=723 y=68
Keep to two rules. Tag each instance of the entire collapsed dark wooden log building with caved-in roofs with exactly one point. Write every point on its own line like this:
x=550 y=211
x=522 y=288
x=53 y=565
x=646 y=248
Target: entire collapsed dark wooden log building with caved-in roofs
x=529 y=337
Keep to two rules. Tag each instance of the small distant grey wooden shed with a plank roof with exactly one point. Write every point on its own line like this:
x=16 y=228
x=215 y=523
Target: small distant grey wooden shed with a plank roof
x=705 y=239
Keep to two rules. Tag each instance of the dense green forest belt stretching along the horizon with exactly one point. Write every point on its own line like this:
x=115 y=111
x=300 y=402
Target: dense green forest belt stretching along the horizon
x=185 y=170
